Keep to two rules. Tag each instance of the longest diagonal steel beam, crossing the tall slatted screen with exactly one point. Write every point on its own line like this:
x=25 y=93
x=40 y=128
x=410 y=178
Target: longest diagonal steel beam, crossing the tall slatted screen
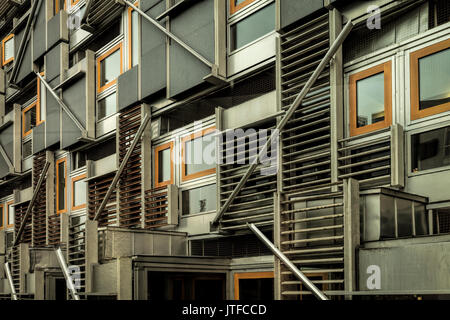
x=297 y=102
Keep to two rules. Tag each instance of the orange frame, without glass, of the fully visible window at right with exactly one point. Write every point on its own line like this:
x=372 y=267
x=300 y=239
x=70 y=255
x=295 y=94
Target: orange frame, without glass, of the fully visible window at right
x=385 y=68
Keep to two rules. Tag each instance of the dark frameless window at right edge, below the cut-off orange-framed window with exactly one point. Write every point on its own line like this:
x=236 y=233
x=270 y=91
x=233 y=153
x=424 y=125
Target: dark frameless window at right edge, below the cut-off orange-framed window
x=430 y=149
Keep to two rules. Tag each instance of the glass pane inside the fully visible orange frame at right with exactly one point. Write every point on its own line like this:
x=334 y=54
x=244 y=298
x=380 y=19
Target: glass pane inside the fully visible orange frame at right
x=370 y=100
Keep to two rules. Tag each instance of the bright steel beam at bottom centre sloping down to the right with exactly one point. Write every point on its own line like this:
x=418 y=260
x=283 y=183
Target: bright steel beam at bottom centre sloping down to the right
x=280 y=255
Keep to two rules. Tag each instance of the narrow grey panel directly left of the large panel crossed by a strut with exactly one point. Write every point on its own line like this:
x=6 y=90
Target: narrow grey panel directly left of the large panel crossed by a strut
x=153 y=74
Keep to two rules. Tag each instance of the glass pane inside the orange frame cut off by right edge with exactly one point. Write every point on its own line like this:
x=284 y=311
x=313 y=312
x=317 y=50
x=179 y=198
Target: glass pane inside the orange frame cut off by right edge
x=434 y=79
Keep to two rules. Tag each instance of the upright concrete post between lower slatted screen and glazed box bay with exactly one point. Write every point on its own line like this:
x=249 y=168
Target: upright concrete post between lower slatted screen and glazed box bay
x=351 y=232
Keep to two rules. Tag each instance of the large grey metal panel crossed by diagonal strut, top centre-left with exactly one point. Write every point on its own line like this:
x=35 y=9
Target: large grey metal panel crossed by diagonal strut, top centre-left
x=196 y=27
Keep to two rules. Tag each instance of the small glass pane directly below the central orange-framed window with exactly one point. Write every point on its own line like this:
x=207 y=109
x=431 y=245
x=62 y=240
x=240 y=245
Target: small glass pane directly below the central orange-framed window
x=198 y=200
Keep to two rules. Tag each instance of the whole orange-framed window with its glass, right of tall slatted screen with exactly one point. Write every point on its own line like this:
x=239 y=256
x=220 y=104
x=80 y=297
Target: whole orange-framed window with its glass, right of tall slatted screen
x=371 y=99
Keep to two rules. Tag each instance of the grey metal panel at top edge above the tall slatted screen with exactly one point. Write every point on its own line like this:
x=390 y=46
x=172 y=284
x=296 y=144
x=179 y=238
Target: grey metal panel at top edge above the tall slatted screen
x=293 y=10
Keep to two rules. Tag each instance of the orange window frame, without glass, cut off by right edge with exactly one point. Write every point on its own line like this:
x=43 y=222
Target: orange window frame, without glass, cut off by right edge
x=416 y=113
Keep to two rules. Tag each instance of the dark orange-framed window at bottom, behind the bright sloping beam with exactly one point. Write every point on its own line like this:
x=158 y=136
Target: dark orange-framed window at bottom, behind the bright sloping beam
x=253 y=286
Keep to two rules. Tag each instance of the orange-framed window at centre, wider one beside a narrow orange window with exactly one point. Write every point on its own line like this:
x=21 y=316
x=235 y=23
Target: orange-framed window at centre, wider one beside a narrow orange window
x=198 y=154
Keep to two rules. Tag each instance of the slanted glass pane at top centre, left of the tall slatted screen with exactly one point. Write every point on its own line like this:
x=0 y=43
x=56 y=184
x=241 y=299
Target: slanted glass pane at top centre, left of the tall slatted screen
x=253 y=27
